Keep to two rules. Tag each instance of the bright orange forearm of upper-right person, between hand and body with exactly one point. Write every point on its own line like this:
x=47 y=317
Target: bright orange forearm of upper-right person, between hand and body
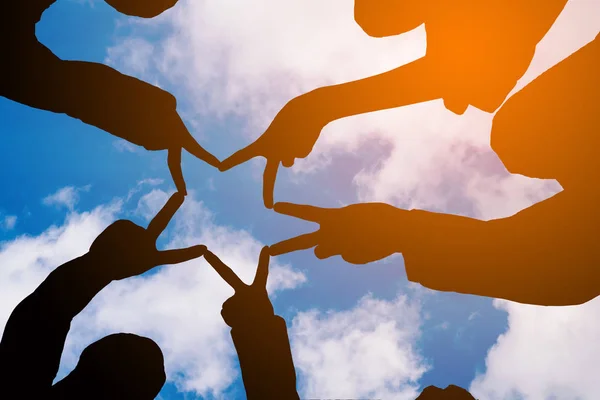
x=409 y=84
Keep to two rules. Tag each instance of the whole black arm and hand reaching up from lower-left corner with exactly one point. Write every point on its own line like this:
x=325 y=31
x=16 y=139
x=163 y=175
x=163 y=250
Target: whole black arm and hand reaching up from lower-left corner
x=35 y=334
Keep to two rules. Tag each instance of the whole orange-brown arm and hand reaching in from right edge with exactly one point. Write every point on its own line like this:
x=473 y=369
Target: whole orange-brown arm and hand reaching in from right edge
x=545 y=255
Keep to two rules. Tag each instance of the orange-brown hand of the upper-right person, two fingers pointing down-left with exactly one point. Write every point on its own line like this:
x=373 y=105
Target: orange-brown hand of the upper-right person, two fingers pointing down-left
x=291 y=135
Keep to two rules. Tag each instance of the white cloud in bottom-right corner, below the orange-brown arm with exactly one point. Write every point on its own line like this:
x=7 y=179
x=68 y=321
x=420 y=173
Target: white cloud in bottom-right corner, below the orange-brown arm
x=546 y=353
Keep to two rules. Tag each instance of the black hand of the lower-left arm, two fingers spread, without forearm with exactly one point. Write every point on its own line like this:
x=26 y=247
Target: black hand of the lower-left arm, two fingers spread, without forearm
x=128 y=249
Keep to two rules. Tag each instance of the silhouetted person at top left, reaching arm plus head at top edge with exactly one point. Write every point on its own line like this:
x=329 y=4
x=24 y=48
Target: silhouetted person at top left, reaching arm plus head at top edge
x=96 y=94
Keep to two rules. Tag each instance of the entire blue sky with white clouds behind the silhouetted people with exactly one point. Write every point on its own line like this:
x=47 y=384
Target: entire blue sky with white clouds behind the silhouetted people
x=356 y=332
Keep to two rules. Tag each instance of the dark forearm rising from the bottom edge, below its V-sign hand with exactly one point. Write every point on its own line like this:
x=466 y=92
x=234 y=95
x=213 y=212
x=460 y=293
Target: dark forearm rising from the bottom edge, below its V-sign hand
x=266 y=360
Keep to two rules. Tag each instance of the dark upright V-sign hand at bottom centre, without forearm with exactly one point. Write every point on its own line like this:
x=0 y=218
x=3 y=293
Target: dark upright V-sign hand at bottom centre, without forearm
x=250 y=304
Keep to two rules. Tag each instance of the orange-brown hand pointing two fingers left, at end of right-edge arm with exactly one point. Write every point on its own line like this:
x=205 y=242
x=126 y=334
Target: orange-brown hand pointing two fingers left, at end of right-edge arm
x=360 y=233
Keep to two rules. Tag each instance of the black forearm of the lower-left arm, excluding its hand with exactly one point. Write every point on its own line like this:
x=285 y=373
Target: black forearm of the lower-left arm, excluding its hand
x=35 y=334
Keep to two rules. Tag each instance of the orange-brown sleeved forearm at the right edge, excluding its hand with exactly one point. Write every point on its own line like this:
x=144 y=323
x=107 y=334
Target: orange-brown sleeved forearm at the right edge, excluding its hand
x=539 y=256
